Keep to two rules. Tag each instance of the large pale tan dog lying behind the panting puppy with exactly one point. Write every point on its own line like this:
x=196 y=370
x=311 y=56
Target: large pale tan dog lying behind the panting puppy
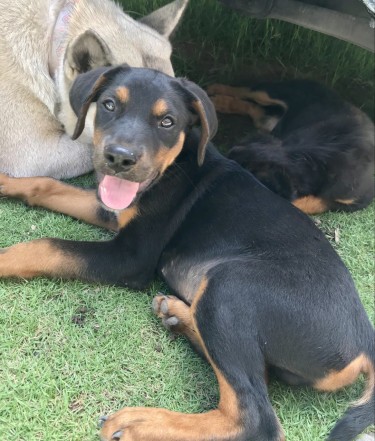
x=44 y=45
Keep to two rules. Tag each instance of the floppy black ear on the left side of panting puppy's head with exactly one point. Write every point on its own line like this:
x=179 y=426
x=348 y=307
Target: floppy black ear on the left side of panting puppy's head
x=86 y=89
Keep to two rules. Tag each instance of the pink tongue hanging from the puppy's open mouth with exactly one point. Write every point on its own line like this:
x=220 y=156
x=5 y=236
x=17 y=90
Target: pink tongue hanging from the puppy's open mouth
x=117 y=193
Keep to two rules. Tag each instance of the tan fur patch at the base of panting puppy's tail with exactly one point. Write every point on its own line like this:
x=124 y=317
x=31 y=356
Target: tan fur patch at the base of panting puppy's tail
x=337 y=379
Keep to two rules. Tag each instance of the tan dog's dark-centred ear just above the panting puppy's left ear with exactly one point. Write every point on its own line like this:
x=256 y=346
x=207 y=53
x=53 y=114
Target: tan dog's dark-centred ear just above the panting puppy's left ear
x=86 y=52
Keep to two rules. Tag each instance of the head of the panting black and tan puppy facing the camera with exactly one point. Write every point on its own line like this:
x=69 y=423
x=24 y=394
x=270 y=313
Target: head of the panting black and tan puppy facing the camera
x=142 y=117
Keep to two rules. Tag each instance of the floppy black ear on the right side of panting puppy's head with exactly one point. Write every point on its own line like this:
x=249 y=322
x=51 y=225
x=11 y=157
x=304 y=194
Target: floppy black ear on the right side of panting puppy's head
x=201 y=105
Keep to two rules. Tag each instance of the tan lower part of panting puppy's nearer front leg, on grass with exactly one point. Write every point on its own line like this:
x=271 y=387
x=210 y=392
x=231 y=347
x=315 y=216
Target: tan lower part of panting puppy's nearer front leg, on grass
x=38 y=258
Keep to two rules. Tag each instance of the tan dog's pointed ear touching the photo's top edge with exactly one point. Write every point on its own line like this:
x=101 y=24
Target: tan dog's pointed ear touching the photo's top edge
x=165 y=20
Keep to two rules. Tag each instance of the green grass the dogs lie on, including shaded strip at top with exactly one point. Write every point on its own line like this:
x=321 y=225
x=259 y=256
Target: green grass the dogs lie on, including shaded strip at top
x=71 y=351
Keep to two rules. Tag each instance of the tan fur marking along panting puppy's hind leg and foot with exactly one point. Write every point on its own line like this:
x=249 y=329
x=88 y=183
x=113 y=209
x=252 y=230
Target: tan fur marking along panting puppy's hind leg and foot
x=142 y=424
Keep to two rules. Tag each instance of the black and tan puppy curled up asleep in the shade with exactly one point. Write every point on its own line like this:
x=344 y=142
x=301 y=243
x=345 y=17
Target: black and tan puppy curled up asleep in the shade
x=312 y=147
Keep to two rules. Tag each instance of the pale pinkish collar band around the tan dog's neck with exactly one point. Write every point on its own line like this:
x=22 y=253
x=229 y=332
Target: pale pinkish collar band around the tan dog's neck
x=59 y=34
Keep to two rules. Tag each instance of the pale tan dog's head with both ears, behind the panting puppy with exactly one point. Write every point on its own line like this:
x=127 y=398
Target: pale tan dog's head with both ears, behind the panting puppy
x=101 y=34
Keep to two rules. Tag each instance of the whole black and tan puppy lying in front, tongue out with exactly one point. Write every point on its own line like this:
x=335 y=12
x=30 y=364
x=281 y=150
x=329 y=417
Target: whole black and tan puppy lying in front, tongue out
x=255 y=284
